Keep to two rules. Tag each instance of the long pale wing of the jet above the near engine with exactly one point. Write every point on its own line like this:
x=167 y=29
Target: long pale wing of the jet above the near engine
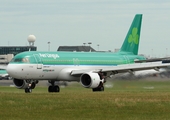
x=124 y=68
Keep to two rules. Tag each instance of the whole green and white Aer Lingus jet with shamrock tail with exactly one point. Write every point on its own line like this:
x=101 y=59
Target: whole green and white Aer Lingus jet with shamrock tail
x=91 y=69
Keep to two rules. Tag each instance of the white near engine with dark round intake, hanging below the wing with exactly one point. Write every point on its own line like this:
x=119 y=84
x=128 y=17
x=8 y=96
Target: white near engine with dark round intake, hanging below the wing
x=91 y=80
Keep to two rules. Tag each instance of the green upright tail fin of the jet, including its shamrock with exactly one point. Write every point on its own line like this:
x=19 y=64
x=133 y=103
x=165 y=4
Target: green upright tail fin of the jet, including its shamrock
x=131 y=42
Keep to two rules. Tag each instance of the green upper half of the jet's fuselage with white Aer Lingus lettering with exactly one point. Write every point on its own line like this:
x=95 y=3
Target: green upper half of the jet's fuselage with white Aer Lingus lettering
x=77 y=58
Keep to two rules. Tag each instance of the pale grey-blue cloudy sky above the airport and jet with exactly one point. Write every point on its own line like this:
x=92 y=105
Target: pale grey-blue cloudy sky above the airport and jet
x=104 y=23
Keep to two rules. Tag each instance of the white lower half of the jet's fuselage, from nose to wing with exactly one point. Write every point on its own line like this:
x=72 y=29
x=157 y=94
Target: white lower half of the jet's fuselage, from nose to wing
x=45 y=72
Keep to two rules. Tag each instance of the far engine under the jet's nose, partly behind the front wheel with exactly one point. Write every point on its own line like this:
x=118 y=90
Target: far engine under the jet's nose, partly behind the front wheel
x=20 y=84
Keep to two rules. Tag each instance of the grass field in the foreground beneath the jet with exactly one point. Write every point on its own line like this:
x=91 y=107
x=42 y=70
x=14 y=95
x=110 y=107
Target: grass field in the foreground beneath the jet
x=126 y=100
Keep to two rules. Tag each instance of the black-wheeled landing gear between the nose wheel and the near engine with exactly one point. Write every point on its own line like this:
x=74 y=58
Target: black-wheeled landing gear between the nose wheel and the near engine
x=53 y=87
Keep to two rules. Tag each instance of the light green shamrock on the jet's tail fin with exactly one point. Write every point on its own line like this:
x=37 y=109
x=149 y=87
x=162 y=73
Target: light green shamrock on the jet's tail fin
x=134 y=37
